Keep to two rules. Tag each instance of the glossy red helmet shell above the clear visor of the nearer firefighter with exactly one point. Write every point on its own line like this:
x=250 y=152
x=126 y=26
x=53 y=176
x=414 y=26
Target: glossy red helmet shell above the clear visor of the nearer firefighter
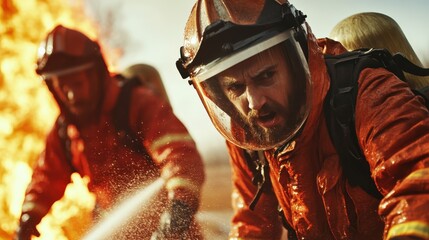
x=214 y=27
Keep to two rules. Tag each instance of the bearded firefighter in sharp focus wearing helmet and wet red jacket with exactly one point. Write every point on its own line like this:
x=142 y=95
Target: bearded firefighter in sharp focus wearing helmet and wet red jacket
x=261 y=75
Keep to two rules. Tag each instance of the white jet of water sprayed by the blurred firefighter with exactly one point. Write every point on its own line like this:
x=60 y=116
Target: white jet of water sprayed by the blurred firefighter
x=125 y=211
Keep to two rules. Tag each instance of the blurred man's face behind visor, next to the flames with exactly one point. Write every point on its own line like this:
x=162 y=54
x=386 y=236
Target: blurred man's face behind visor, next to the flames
x=79 y=92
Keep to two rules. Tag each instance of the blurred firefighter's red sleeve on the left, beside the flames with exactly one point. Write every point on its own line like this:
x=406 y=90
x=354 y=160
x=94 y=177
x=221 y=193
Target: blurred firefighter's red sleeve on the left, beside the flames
x=51 y=174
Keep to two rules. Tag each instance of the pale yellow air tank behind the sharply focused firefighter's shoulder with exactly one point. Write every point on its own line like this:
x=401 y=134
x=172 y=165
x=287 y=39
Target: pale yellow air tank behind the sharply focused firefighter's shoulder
x=377 y=30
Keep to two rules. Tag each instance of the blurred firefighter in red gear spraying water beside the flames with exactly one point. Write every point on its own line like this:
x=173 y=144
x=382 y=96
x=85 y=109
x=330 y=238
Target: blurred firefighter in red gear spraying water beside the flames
x=84 y=139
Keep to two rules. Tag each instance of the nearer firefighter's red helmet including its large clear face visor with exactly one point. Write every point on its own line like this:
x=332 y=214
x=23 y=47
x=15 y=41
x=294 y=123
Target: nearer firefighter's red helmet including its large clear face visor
x=224 y=37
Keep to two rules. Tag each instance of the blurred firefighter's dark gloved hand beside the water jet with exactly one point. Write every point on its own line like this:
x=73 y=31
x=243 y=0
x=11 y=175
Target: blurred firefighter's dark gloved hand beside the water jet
x=174 y=222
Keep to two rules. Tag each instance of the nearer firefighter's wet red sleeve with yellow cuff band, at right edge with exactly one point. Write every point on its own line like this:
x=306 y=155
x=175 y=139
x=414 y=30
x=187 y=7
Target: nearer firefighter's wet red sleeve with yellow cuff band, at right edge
x=393 y=130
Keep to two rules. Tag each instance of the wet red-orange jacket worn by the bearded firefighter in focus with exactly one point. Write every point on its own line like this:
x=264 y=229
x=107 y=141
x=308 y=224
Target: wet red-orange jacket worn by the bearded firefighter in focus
x=392 y=126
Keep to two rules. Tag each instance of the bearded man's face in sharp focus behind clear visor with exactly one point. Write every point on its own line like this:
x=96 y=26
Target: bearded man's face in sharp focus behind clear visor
x=260 y=89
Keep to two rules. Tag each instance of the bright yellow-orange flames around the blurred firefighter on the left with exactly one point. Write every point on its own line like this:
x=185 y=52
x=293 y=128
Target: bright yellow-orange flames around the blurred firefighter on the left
x=28 y=110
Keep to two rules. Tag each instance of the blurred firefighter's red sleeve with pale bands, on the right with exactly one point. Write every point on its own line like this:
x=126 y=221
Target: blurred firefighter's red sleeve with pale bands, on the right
x=170 y=146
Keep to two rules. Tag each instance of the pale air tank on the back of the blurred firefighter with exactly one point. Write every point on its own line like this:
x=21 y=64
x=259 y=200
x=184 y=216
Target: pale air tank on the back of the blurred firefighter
x=149 y=77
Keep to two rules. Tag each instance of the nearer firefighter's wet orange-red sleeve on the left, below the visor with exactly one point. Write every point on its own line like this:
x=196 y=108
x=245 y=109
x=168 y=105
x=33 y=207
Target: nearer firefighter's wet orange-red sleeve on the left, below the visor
x=261 y=223
